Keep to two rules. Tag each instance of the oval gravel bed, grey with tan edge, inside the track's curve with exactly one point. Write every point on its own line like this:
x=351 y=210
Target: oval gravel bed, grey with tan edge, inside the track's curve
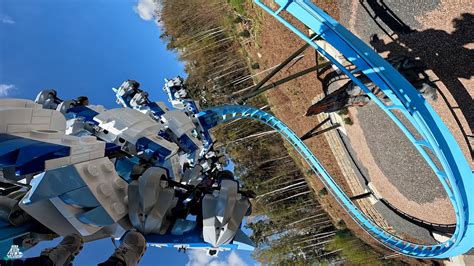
x=410 y=193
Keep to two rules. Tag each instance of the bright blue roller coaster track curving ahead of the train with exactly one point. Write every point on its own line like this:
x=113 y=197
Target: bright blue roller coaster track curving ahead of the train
x=454 y=174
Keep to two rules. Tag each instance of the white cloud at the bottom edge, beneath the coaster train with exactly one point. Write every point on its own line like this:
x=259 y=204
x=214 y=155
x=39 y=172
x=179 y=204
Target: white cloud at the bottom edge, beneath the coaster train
x=200 y=258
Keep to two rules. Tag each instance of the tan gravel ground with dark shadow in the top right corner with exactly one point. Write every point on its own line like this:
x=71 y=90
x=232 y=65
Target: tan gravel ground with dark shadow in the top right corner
x=442 y=36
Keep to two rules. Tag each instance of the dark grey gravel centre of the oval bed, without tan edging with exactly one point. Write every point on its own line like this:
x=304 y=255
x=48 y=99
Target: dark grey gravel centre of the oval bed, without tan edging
x=397 y=157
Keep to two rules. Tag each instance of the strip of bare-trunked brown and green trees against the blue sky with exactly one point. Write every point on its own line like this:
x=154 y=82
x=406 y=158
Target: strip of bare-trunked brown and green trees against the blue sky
x=289 y=225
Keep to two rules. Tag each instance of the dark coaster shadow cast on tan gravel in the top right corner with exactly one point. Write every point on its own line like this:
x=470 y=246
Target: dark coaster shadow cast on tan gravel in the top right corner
x=444 y=53
